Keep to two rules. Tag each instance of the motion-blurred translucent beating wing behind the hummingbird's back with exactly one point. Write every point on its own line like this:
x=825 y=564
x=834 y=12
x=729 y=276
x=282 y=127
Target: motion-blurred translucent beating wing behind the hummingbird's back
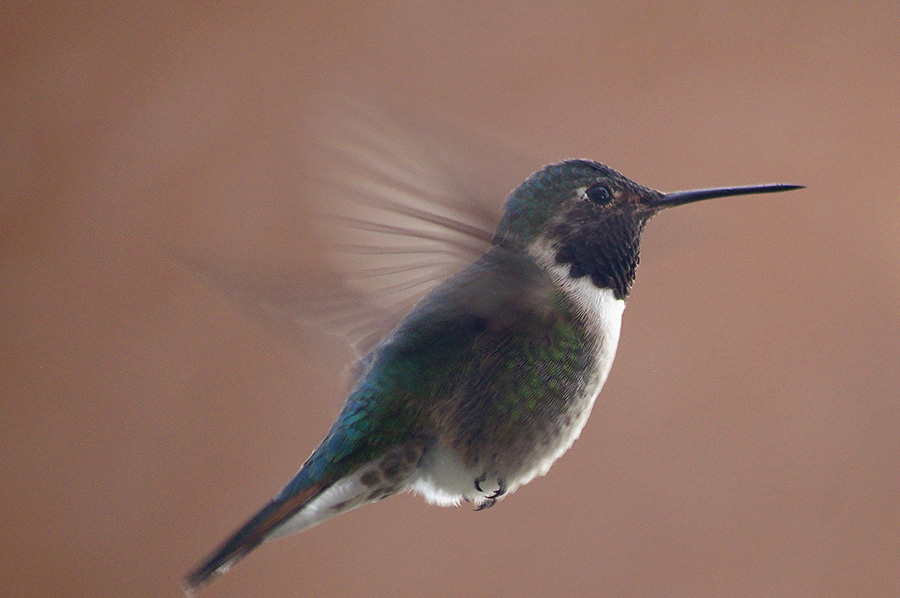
x=400 y=206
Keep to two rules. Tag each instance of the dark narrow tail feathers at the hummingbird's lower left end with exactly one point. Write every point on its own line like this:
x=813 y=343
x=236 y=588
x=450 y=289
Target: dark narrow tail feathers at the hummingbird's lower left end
x=249 y=536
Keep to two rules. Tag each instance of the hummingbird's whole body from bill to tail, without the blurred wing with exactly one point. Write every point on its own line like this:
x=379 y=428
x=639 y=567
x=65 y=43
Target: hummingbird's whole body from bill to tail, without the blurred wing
x=491 y=377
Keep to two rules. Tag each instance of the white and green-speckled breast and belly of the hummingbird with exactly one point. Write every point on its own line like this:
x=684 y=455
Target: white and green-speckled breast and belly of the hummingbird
x=530 y=415
